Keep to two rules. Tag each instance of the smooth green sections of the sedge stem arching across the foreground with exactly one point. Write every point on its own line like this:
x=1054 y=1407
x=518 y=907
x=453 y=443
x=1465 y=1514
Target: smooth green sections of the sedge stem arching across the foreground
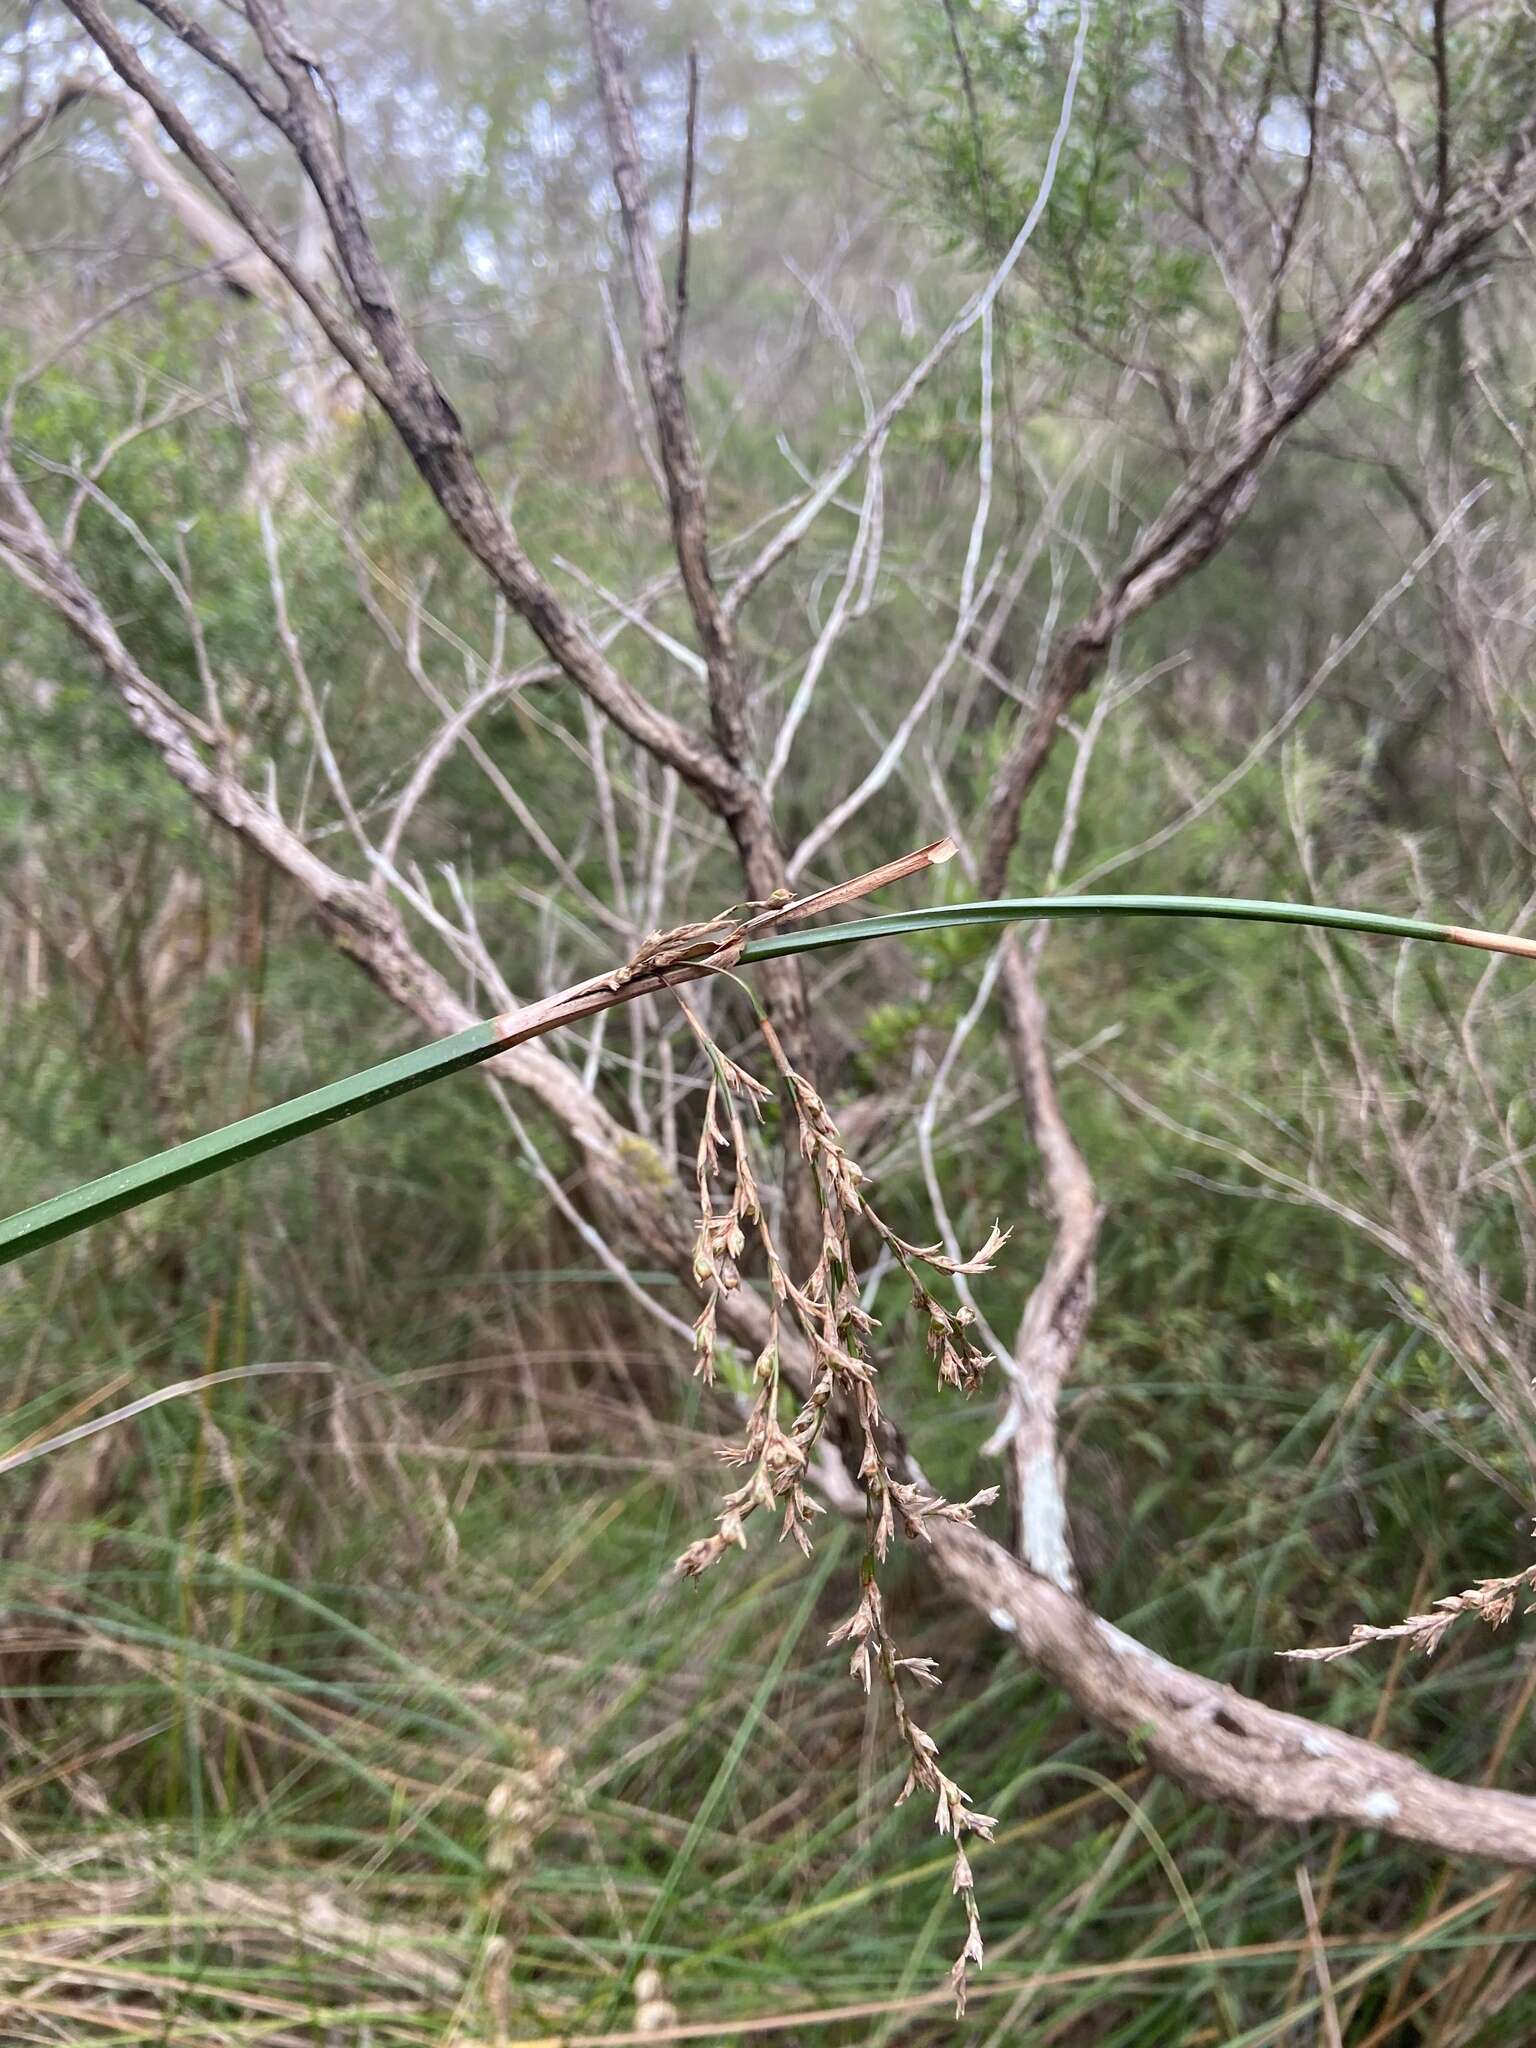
x=132 y=1185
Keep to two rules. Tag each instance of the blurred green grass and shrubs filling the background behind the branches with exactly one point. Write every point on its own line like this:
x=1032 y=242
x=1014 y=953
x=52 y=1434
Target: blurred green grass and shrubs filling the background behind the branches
x=359 y=1707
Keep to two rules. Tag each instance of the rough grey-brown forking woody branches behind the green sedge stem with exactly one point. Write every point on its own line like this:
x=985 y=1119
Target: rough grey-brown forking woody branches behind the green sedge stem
x=1205 y=1736
